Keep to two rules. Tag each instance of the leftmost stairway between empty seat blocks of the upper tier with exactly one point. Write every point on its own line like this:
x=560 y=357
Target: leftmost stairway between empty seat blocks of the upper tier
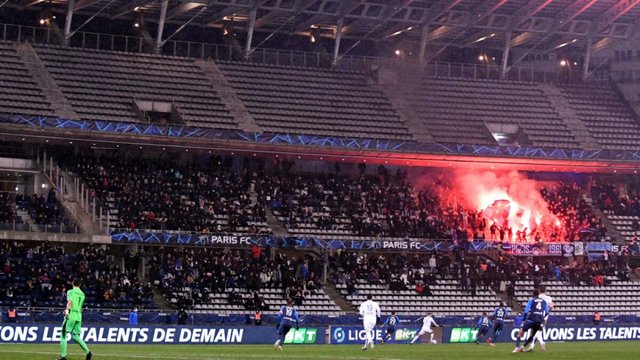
x=52 y=92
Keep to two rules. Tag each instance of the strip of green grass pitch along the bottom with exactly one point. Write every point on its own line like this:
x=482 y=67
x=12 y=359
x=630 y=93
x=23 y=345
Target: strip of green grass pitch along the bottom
x=580 y=351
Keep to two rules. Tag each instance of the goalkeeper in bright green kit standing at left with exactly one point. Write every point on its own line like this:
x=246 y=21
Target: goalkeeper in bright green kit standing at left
x=73 y=321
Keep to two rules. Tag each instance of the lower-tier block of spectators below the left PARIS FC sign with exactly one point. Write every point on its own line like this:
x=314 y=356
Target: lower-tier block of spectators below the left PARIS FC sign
x=238 y=274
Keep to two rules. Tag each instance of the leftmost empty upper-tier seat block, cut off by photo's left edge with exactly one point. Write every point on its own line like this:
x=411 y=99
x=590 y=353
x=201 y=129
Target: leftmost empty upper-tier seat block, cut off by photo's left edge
x=19 y=93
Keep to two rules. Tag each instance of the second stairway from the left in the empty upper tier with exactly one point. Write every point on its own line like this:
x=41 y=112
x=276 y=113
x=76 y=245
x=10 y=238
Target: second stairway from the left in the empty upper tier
x=229 y=96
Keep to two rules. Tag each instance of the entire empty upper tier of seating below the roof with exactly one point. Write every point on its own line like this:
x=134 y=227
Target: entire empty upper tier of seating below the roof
x=103 y=85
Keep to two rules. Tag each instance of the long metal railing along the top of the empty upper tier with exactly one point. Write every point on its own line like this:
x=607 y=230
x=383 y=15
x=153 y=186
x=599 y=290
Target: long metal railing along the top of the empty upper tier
x=221 y=52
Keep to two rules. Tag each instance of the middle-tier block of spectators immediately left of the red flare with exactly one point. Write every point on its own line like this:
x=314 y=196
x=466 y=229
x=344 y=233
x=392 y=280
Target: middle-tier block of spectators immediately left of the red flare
x=368 y=205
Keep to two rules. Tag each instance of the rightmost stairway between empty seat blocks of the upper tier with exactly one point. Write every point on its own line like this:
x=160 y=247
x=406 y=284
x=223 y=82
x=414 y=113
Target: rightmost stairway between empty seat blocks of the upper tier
x=571 y=119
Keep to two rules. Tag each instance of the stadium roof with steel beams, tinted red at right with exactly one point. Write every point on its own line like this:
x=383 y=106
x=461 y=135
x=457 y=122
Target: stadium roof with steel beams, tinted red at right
x=540 y=24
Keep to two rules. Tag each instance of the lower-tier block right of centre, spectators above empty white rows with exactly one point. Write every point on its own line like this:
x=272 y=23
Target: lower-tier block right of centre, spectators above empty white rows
x=414 y=284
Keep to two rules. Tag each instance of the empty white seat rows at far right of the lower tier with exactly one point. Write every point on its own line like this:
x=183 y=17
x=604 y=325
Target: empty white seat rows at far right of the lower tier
x=618 y=298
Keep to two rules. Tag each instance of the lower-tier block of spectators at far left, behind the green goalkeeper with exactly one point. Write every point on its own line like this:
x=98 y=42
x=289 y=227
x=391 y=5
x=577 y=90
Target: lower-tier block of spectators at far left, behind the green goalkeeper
x=38 y=274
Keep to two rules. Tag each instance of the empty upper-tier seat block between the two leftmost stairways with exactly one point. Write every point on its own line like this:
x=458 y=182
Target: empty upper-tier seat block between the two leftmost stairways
x=103 y=85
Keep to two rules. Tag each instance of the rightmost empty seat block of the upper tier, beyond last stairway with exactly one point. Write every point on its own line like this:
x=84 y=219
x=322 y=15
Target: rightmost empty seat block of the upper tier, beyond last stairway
x=607 y=116
